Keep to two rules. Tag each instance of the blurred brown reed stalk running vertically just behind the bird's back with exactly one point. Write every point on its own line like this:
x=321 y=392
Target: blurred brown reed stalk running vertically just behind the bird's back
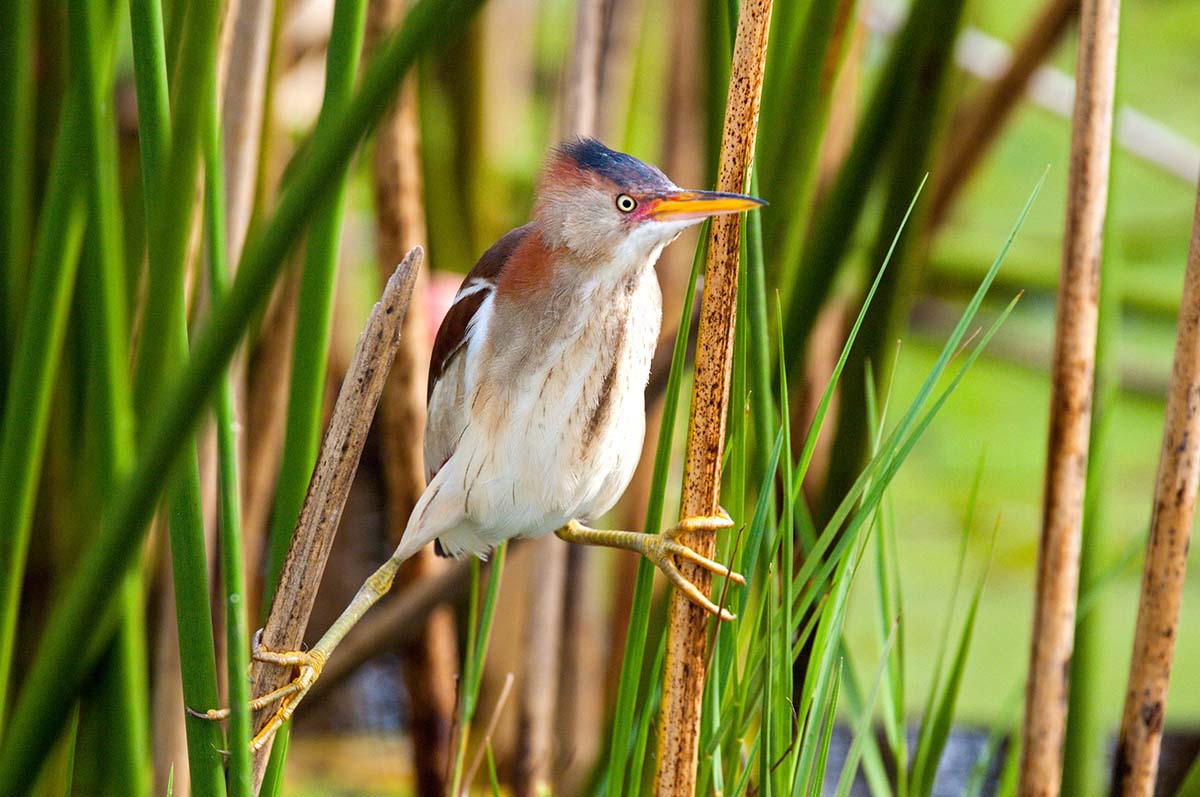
x=433 y=662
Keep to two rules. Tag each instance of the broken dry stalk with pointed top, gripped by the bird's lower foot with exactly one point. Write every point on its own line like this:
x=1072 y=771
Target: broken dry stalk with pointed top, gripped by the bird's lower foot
x=331 y=486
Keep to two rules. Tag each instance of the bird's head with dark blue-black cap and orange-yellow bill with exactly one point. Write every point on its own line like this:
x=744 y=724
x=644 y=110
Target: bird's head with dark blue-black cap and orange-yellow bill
x=608 y=206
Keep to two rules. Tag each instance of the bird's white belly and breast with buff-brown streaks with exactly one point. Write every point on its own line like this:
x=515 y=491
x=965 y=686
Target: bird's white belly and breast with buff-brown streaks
x=555 y=428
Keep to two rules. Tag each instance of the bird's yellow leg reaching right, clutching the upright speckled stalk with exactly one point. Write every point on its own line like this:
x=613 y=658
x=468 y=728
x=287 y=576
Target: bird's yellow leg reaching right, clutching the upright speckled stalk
x=662 y=549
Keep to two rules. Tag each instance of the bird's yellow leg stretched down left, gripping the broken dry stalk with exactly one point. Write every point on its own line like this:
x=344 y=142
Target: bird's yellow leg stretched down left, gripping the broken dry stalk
x=310 y=663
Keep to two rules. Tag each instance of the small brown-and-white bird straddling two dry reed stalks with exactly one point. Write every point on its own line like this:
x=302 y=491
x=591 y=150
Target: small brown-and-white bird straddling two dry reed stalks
x=537 y=414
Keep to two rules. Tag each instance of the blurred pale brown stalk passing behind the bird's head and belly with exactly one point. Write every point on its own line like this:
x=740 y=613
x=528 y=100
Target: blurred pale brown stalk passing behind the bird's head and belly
x=542 y=639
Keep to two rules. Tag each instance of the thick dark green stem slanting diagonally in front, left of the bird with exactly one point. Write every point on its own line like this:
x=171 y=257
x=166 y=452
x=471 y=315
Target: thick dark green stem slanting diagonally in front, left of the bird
x=43 y=708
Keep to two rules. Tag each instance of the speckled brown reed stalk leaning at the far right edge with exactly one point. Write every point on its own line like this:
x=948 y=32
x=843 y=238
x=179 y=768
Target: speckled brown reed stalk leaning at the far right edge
x=1136 y=765
